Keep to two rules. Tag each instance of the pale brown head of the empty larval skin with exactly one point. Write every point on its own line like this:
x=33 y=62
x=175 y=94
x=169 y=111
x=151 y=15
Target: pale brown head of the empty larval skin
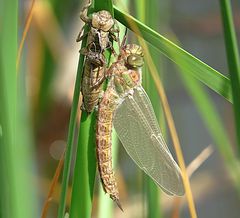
x=102 y=20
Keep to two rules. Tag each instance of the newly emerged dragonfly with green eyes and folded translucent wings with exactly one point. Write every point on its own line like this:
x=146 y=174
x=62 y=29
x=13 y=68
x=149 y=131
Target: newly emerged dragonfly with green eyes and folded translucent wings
x=126 y=106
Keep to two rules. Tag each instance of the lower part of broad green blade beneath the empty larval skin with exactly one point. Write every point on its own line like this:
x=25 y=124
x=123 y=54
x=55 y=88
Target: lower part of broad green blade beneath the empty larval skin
x=85 y=169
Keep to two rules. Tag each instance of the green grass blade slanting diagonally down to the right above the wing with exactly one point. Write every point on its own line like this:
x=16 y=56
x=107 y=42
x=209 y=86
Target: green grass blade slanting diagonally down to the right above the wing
x=187 y=62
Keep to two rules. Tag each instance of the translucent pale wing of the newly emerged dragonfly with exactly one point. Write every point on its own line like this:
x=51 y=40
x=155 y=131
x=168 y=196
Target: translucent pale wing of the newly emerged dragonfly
x=138 y=130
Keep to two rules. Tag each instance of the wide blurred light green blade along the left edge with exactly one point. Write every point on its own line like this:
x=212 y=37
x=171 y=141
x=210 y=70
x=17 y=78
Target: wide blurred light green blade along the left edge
x=18 y=198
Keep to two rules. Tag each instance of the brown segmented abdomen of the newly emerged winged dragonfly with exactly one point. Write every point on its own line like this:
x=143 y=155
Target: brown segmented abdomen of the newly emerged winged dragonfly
x=104 y=144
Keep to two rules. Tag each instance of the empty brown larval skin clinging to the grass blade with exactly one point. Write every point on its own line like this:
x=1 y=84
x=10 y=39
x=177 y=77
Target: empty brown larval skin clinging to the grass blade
x=103 y=29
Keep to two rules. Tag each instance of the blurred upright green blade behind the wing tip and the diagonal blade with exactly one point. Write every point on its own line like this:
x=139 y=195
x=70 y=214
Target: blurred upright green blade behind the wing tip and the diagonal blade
x=145 y=11
